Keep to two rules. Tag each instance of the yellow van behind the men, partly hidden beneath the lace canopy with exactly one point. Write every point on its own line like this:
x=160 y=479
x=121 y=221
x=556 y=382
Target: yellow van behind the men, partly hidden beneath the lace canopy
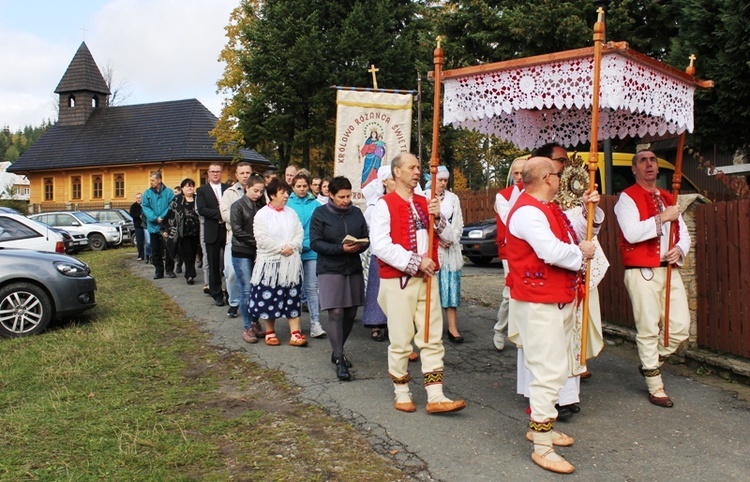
x=622 y=173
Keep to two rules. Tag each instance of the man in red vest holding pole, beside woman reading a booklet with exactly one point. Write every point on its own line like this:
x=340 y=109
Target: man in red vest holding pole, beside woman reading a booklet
x=399 y=239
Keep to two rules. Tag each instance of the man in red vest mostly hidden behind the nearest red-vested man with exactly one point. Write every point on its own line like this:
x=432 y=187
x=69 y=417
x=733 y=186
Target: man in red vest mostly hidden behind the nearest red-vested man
x=504 y=200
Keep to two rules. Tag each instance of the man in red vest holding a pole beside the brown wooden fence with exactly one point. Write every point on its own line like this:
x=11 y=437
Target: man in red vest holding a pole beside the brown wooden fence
x=645 y=213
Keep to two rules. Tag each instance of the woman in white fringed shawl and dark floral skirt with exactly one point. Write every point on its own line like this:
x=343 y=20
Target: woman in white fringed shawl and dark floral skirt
x=277 y=274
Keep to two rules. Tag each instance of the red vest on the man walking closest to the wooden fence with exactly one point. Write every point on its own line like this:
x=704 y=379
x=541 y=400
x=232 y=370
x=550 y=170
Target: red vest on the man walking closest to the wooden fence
x=646 y=254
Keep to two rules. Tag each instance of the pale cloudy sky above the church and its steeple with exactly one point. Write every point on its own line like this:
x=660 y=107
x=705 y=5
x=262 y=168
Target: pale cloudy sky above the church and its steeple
x=162 y=49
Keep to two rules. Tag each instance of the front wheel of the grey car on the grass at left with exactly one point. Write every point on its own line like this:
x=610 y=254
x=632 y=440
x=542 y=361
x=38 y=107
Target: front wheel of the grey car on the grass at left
x=25 y=309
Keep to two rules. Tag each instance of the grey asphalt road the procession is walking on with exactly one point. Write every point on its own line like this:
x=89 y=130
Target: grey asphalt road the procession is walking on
x=619 y=434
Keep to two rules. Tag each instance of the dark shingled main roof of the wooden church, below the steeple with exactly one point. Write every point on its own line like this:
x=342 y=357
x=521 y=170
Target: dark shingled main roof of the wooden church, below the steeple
x=130 y=135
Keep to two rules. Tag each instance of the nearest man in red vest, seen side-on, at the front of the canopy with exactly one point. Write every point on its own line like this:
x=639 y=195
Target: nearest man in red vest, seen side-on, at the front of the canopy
x=545 y=281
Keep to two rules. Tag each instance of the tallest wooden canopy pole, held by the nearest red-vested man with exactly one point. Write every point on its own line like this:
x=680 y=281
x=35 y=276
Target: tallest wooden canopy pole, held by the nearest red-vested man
x=593 y=163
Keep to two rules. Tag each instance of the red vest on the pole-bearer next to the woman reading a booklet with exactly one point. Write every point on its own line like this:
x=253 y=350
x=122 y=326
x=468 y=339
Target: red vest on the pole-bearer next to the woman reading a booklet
x=403 y=229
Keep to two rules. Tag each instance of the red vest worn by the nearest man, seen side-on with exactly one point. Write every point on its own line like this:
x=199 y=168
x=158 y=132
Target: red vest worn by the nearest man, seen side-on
x=531 y=279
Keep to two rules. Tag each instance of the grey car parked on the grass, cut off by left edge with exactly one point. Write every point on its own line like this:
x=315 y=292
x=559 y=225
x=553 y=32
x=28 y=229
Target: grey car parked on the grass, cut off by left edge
x=37 y=287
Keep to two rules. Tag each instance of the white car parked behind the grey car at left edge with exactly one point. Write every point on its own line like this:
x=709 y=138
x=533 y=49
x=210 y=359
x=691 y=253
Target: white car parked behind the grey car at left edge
x=18 y=231
